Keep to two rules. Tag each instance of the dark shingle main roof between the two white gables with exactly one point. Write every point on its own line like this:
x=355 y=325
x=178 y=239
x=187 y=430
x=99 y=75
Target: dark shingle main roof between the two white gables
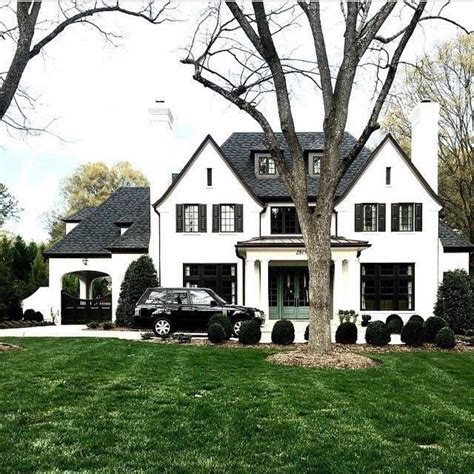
x=238 y=147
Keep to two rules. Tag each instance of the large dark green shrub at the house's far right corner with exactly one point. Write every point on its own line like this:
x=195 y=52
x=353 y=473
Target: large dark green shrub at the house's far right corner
x=455 y=301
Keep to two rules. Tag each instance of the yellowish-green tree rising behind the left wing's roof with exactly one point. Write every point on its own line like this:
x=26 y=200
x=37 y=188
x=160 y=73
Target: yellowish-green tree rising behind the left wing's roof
x=90 y=185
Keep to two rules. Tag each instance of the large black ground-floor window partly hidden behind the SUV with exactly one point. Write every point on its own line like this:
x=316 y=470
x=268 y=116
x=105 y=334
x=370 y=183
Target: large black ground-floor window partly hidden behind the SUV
x=222 y=278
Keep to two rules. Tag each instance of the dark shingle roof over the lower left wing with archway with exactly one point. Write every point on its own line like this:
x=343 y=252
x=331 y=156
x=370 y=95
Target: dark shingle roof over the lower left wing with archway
x=97 y=233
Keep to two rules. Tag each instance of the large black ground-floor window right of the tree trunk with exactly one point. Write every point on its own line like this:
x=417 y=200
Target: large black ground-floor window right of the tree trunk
x=387 y=286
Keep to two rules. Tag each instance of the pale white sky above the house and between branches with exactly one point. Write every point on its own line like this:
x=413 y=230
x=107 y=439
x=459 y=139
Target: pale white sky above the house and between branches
x=99 y=96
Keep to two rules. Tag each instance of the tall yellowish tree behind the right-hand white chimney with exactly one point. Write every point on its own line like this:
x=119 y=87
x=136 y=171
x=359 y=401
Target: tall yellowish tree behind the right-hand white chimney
x=444 y=76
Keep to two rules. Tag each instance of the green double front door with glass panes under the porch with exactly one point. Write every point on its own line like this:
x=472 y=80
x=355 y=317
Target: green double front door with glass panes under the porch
x=289 y=293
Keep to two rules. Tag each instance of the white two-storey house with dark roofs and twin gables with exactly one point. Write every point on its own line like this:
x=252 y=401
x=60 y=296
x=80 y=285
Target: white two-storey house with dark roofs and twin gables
x=226 y=222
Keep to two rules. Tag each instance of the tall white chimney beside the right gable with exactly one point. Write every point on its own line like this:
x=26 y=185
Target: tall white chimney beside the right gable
x=424 y=140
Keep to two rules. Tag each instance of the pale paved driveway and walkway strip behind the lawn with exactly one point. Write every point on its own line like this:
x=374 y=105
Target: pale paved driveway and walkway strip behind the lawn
x=81 y=331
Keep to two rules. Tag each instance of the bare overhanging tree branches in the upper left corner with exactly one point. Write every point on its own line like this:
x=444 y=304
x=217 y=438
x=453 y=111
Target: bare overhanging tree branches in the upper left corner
x=27 y=32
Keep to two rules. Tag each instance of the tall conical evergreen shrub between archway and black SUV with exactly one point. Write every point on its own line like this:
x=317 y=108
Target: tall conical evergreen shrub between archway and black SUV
x=140 y=275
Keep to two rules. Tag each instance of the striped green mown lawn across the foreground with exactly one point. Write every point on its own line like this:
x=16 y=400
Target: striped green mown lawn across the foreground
x=85 y=404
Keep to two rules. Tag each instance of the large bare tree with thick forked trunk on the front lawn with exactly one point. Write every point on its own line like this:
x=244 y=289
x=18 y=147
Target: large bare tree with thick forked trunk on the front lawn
x=238 y=53
